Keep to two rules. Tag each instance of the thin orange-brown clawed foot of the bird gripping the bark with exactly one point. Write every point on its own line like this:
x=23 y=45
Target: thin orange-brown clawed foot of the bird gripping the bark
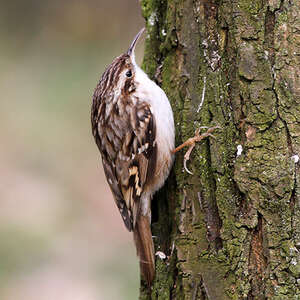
x=191 y=142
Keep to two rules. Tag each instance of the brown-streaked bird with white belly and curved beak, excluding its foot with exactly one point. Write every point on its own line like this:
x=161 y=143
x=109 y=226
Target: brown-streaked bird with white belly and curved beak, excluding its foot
x=133 y=127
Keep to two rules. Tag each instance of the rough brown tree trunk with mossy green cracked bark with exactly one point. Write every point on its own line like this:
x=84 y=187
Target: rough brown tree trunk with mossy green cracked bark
x=231 y=230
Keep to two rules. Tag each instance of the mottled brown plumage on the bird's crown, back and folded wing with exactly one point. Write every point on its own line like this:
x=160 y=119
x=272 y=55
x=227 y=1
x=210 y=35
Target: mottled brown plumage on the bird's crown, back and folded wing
x=124 y=132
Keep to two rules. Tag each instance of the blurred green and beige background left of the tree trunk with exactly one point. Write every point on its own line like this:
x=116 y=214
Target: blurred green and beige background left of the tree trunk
x=61 y=236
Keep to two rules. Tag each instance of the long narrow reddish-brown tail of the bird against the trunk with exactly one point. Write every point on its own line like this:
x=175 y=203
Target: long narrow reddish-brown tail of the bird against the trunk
x=145 y=248
